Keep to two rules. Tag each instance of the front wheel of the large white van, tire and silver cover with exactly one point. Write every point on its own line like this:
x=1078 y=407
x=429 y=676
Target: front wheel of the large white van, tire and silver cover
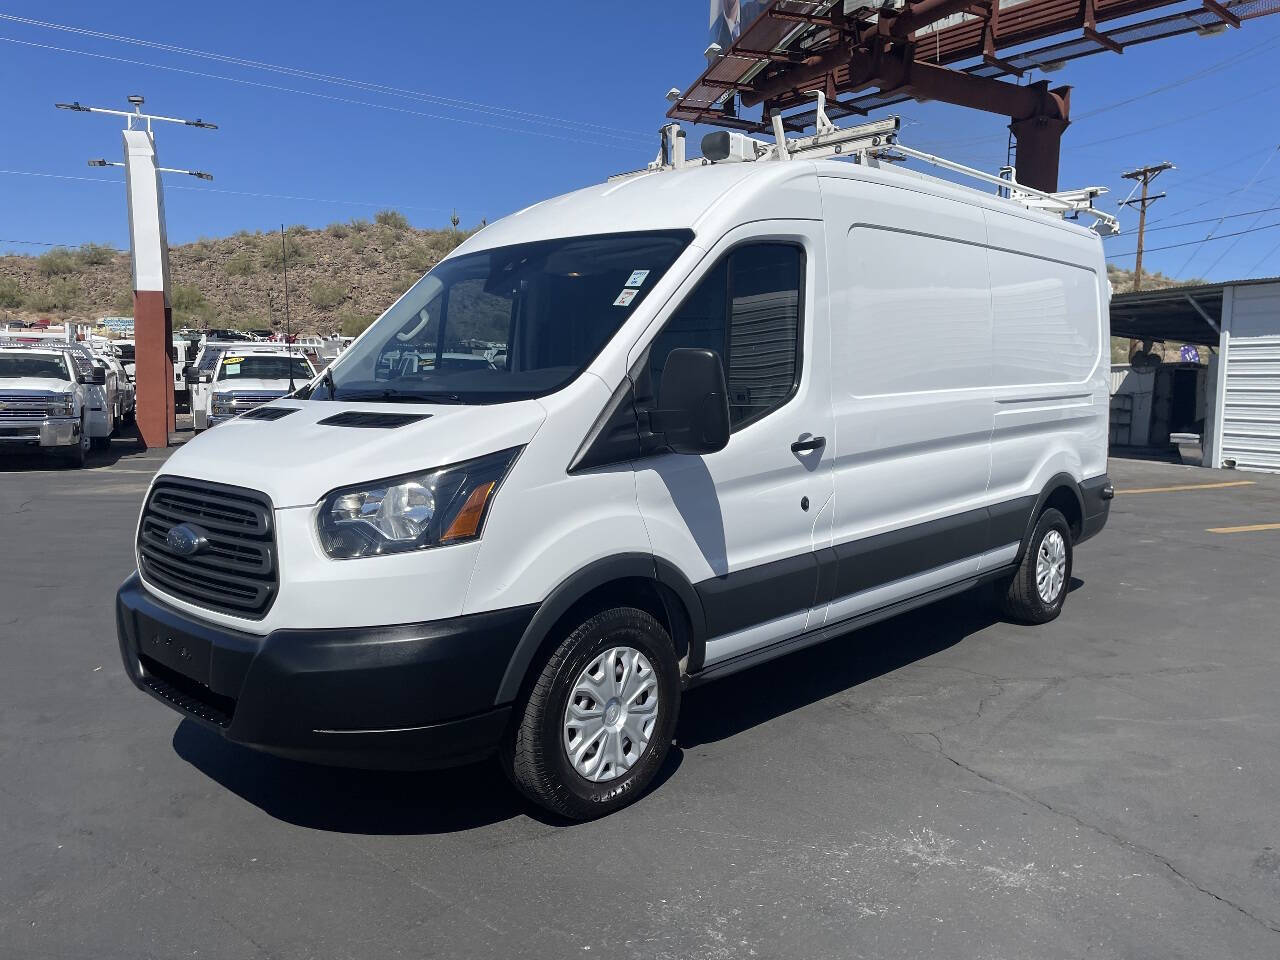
x=598 y=721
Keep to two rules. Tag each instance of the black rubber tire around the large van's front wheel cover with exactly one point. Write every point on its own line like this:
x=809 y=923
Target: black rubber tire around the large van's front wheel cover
x=536 y=757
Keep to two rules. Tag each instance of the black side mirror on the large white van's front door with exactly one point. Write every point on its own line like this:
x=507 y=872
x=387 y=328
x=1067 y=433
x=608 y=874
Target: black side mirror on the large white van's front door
x=693 y=401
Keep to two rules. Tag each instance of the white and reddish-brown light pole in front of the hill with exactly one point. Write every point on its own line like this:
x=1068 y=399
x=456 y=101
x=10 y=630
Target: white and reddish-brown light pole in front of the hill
x=149 y=249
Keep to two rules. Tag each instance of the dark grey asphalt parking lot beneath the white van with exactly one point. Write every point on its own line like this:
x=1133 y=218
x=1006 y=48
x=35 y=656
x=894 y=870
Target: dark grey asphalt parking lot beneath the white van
x=939 y=787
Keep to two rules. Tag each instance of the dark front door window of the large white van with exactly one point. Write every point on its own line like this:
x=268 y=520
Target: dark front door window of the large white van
x=748 y=310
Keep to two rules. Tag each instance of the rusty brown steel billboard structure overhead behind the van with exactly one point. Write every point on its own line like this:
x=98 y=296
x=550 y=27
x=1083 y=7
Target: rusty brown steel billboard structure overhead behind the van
x=970 y=53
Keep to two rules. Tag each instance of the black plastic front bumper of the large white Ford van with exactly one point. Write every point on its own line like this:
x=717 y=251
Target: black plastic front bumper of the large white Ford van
x=409 y=697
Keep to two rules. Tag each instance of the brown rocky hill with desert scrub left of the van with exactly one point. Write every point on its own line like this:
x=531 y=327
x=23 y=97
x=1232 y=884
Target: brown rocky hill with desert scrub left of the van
x=341 y=277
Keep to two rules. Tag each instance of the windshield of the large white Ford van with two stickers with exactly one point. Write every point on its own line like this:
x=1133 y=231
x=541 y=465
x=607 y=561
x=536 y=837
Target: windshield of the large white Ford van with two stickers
x=505 y=324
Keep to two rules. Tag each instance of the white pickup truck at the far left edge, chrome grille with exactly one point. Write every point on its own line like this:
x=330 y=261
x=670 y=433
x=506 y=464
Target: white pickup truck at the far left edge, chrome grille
x=45 y=400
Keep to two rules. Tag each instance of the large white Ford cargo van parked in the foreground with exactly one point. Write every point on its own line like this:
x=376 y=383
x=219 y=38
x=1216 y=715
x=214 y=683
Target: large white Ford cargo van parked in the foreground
x=744 y=408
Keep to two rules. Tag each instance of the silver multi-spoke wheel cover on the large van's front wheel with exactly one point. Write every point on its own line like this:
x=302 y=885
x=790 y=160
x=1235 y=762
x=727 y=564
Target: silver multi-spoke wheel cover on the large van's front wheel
x=611 y=715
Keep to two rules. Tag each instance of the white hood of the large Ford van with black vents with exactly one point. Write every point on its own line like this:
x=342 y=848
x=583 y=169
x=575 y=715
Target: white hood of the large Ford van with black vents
x=298 y=460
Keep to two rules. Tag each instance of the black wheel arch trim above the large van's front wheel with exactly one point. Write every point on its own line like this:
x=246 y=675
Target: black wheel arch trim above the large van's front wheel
x=593 y=577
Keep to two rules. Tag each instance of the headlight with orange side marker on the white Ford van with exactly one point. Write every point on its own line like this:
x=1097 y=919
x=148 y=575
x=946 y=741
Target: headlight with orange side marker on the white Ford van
x=433 y=509
